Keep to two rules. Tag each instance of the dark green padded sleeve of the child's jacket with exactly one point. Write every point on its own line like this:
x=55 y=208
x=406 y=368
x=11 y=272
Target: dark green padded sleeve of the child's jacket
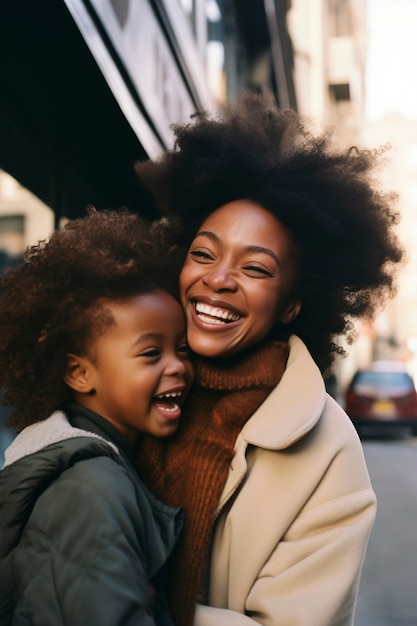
x=84 y=552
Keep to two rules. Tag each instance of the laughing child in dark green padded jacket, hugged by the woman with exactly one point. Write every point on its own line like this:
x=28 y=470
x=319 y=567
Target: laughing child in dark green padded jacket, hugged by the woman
x=92 y=335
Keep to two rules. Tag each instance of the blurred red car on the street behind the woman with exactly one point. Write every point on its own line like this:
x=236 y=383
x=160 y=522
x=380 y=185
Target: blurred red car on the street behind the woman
x=382 y=399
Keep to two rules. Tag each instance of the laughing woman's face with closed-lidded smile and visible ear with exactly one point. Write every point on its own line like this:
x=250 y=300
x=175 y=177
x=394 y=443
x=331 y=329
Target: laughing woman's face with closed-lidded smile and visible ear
x=237 y=279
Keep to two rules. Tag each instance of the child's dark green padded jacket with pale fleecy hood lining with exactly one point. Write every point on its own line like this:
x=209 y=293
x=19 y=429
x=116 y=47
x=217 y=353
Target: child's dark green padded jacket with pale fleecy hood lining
x=82 y=541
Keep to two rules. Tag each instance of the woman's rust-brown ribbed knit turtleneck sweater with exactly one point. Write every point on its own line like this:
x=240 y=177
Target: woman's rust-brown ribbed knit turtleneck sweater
x=190 y=469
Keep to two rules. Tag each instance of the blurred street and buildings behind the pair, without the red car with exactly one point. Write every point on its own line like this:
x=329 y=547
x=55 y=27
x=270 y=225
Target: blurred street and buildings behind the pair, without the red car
x=87 y=87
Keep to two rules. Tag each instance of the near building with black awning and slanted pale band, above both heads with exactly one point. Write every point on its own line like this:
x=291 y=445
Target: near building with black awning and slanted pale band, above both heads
x=90 y=86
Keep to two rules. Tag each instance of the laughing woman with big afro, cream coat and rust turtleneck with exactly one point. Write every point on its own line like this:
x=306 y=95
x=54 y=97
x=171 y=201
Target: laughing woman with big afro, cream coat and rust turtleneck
x=290 y=242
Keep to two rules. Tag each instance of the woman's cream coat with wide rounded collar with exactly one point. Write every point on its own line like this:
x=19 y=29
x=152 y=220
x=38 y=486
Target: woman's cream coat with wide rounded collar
x=289 y=544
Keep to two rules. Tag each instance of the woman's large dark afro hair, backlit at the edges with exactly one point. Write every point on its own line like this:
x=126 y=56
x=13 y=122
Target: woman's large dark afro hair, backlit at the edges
x=342 y=226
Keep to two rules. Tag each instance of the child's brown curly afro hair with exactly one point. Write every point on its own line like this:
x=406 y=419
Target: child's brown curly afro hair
x=52 y=303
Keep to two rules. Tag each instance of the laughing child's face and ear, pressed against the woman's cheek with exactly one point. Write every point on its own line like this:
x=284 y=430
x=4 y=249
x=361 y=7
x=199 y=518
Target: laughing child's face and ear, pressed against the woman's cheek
x=142 y=355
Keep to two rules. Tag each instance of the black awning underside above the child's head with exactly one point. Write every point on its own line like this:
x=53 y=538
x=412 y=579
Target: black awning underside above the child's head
x=62 y=134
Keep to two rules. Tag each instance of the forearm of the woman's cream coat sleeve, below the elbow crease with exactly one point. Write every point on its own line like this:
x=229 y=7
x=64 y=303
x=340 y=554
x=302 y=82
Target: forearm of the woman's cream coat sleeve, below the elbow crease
x=312 y=578
